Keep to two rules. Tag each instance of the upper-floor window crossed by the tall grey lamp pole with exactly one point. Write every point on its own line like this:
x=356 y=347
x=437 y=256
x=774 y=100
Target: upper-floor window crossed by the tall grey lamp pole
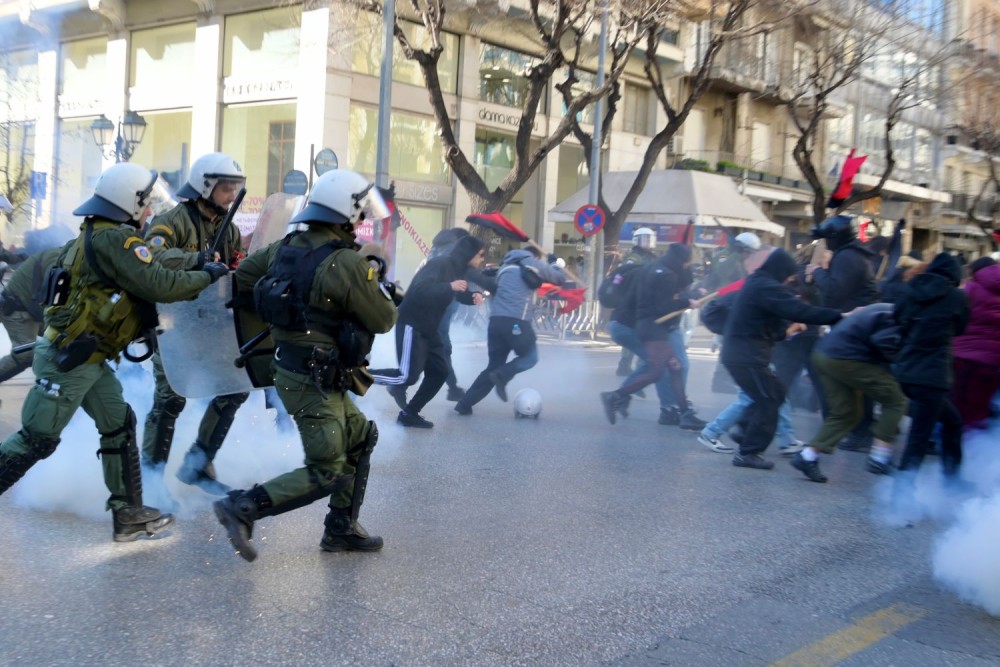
x=366 y=54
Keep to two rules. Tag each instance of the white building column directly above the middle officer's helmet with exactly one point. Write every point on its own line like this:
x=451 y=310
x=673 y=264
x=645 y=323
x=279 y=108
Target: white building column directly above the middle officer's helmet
x=206 y=80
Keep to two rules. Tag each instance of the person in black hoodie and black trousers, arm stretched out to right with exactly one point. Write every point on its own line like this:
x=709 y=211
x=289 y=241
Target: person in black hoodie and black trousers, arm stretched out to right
x=761 y=314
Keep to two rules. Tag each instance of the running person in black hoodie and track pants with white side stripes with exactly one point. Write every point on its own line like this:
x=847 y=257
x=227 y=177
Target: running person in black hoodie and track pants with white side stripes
x=419 y=347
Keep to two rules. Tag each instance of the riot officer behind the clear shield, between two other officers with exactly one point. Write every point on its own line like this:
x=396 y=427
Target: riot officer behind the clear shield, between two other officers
x=183 y=238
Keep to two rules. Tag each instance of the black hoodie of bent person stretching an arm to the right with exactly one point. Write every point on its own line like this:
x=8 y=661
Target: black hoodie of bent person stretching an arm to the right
x=763 y=310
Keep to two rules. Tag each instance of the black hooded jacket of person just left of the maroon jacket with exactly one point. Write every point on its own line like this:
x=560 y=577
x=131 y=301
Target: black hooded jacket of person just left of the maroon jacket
x=931 y=310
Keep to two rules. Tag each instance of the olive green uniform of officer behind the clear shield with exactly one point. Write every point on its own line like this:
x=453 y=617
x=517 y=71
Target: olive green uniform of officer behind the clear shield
x=176 y=237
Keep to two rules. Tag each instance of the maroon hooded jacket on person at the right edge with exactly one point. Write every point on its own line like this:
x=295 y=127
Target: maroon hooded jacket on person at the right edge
x=981 y=340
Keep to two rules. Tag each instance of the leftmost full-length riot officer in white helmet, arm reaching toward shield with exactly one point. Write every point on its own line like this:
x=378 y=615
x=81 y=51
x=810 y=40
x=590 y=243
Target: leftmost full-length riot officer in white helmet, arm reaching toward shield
x=102 y=290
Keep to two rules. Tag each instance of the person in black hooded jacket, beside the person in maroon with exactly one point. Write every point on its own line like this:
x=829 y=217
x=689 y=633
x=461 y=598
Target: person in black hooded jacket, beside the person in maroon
x=931 y=310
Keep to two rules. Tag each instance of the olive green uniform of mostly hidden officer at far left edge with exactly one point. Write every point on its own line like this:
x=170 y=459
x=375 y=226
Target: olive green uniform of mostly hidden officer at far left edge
x=20 y=314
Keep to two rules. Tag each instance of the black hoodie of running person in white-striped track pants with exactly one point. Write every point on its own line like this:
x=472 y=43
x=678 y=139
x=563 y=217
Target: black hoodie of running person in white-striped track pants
x=430 y=292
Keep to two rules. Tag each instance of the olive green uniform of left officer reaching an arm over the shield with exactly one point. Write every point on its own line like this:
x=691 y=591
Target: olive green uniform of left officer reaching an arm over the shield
x=94 y=308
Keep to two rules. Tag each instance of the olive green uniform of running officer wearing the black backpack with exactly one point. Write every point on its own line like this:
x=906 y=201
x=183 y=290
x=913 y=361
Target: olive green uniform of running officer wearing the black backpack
x=337 y=438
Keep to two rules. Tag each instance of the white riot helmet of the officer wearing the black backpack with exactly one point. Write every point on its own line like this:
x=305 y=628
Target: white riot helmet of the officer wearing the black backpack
x=340 y=197
